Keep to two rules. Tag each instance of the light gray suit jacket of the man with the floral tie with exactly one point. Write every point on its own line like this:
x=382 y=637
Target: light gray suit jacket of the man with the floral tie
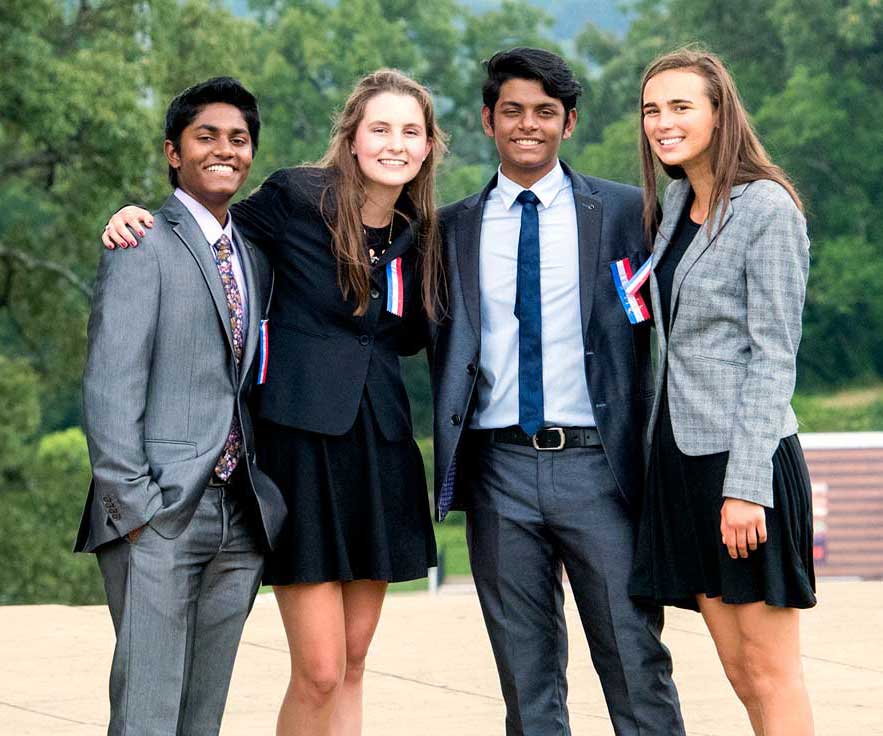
x=161 y=383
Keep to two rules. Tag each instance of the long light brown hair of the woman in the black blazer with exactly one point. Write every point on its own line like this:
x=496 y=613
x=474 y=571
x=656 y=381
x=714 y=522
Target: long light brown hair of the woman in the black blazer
x=342 y=210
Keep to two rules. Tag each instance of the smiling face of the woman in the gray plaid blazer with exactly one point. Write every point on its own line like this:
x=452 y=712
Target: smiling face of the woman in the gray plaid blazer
x=679 y=119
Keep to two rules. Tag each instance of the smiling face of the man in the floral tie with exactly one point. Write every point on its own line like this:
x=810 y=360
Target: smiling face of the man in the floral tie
x=214 y=156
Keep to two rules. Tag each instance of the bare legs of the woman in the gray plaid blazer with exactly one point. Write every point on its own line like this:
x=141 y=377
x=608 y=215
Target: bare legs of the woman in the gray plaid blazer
x=766 y=642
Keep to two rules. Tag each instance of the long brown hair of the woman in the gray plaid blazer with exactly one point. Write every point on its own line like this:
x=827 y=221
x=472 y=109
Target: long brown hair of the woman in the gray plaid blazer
x=737 y=155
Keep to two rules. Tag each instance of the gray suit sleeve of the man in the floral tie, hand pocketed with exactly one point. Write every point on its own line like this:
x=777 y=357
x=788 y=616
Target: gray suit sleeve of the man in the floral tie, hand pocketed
x=121 y=332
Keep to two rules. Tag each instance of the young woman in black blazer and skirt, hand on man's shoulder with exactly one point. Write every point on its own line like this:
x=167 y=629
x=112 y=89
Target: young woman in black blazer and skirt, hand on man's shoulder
x=355 y=248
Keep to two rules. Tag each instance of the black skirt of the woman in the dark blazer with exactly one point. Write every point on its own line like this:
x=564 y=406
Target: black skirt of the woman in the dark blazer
x=357 y=505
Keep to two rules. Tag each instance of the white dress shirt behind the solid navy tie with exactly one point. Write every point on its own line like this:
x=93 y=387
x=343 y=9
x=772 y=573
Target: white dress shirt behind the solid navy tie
x=565 y=392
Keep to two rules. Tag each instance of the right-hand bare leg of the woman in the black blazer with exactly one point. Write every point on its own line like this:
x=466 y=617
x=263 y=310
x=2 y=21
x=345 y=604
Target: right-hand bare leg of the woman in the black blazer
x=362 y=602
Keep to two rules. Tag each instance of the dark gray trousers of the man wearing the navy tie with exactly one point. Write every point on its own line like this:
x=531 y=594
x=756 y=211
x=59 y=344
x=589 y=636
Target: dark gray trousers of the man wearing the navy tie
x=532 y=513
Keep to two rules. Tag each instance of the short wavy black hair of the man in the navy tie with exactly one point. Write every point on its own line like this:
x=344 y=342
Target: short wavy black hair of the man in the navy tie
x=543 y=66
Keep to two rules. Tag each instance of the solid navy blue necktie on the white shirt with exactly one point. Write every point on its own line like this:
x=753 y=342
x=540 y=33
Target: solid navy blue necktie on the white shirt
x=529 y=315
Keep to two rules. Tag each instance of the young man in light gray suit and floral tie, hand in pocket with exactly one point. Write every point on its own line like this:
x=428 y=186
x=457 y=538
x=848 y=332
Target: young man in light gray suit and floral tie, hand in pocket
x=177 y=513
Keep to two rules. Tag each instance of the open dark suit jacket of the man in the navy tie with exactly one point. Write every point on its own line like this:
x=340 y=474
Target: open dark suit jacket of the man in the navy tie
x=617 y=354
